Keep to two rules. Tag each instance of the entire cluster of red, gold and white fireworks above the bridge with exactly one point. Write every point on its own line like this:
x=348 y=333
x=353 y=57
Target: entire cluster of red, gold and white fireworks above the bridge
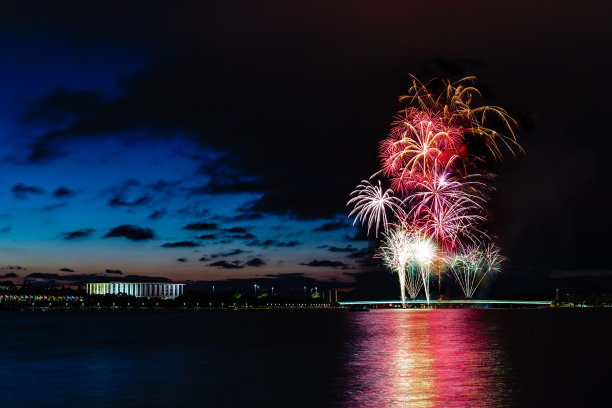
x=435 y=160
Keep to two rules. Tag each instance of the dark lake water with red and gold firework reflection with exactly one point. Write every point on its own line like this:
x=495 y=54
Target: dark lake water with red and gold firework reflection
x=384 y=358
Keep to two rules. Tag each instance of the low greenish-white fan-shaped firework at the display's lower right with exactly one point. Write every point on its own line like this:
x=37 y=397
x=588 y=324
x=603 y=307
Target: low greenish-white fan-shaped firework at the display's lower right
x=472 y=264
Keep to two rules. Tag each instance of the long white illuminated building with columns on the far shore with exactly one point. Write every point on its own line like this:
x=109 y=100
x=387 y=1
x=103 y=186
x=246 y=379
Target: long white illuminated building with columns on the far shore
x=137 y=289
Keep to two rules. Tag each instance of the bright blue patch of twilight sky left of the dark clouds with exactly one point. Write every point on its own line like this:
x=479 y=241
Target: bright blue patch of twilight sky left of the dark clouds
x=101 y=181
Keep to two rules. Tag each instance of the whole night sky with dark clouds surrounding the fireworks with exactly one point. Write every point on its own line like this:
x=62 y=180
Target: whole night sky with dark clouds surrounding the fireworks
x=212 y=141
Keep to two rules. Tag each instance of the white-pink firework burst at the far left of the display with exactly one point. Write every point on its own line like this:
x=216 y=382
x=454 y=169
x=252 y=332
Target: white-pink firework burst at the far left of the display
x=371 y=204
